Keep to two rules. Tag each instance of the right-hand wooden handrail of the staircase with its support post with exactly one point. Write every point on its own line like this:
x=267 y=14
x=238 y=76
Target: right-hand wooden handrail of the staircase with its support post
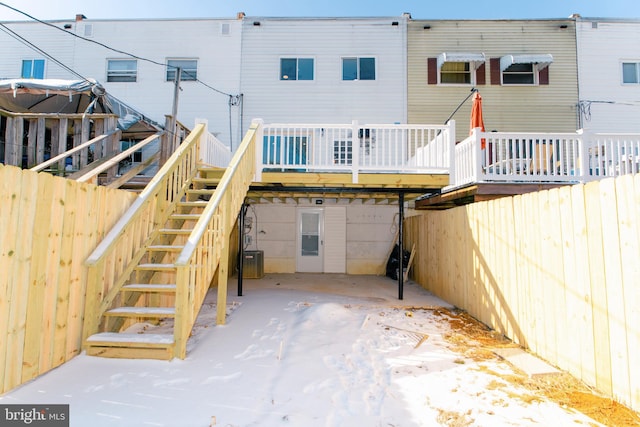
x=207 y=248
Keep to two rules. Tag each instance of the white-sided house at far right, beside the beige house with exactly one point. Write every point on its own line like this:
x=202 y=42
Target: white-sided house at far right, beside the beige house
x=609 y=74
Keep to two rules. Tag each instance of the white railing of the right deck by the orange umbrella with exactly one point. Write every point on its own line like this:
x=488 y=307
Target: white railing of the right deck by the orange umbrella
x=544 y=157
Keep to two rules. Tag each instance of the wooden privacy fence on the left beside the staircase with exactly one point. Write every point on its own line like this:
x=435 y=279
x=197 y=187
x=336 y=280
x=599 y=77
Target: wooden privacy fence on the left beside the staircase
x=49 y=226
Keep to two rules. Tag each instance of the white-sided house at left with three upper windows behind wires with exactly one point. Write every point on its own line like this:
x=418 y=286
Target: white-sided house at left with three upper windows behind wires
x=208 y=49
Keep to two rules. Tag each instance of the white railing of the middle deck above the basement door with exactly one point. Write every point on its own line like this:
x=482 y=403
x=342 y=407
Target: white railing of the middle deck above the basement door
x=354 y=148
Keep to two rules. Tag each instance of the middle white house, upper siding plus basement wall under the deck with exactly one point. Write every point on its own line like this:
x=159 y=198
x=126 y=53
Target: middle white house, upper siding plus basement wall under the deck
x=314 y=71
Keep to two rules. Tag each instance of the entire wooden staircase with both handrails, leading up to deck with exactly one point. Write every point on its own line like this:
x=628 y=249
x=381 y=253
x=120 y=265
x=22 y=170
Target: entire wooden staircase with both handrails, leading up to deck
x=149 y=276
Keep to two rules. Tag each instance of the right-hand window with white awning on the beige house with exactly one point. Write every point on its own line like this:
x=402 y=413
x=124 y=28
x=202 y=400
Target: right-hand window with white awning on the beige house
x=527 y=70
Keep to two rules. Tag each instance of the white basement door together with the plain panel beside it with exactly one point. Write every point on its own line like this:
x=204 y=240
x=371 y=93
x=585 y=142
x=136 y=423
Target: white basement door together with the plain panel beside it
x=321 y=240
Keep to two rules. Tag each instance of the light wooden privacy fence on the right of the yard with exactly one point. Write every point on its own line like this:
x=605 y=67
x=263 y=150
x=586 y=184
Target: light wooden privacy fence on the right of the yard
x=557 y=271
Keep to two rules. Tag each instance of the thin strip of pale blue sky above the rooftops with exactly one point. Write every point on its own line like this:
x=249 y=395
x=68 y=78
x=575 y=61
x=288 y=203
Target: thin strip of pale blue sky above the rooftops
x=419 y=9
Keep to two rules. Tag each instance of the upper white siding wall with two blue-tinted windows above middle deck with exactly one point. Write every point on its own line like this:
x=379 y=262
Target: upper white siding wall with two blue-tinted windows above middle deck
x=345 y=69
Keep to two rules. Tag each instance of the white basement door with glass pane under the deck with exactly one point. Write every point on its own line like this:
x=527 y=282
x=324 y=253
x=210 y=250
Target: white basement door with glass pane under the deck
x=310 y=244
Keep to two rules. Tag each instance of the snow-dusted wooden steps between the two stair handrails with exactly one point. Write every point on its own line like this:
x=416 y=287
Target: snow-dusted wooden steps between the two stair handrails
x=148 y=297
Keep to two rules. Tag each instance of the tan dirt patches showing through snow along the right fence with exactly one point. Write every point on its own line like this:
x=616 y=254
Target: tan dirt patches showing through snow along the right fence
x=475 y=340
